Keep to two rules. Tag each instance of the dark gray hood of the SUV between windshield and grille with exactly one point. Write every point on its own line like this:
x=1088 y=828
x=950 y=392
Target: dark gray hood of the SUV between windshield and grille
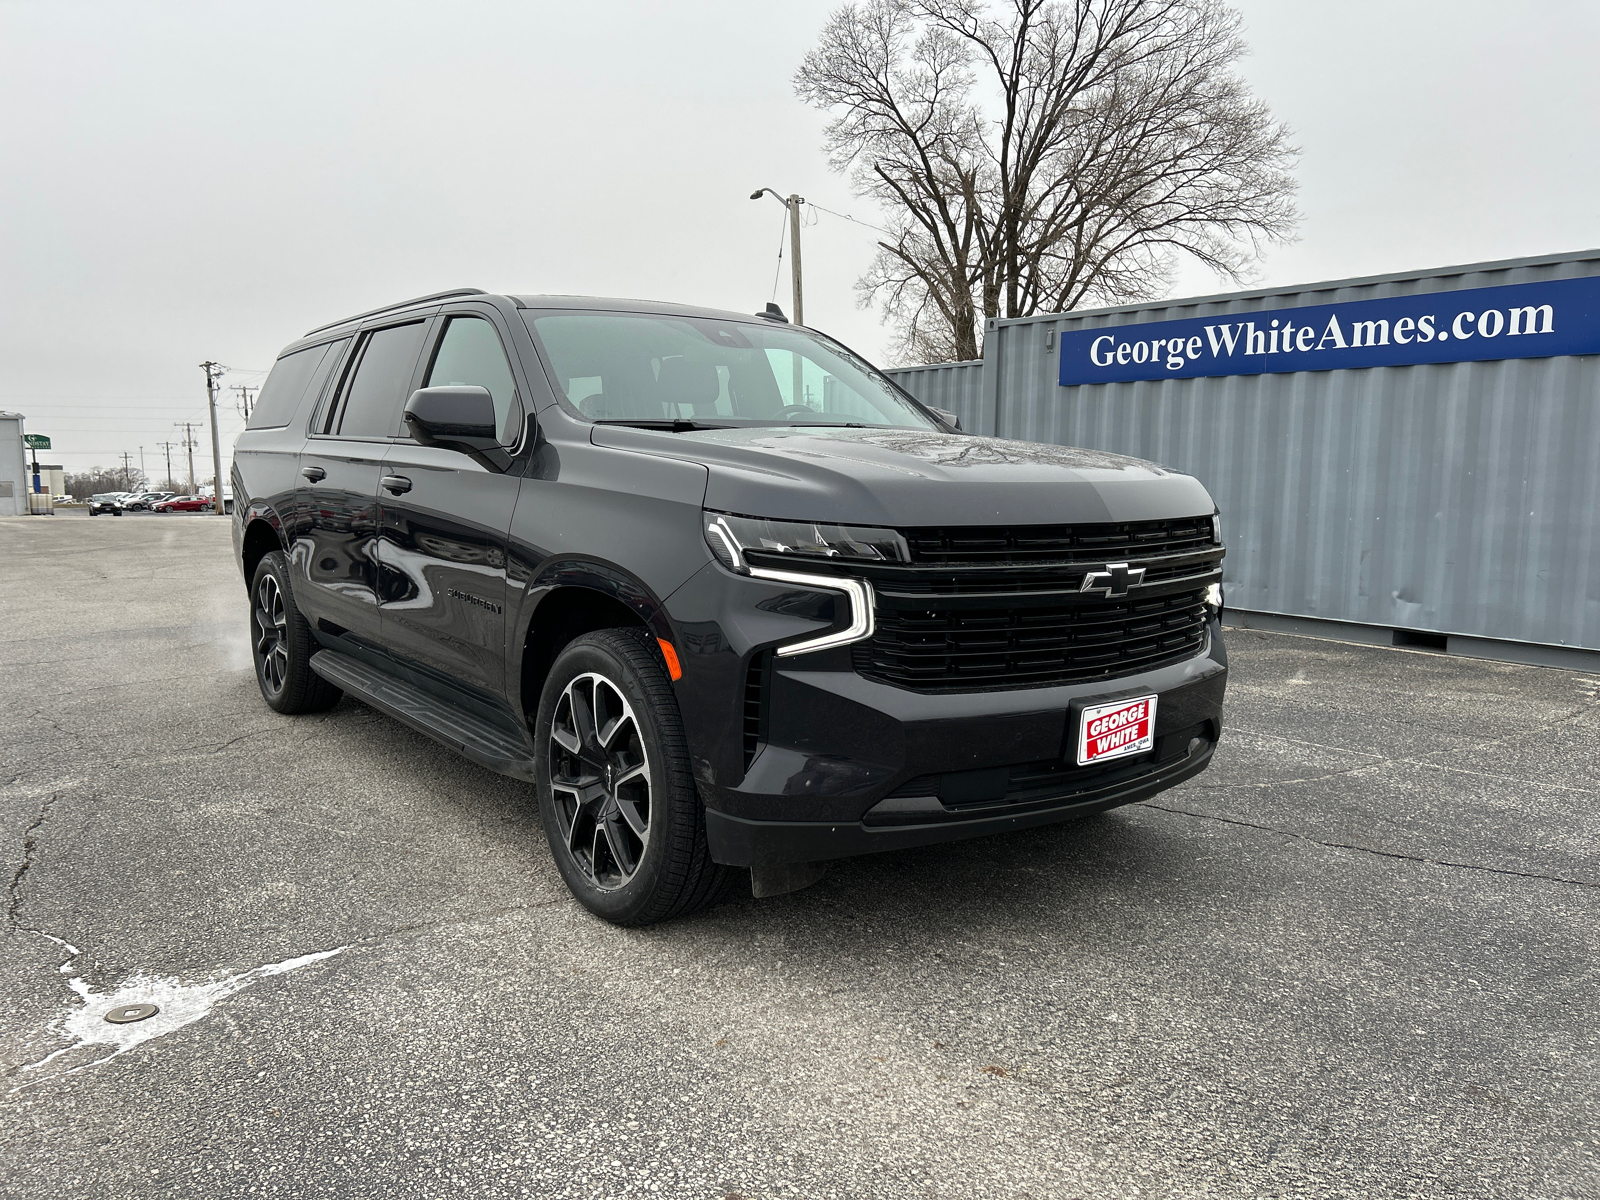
x=911 y=478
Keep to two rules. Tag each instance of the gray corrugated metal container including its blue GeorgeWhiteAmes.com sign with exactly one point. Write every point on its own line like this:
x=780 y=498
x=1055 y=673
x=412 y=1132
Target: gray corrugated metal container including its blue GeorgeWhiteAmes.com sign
x=1426 y=502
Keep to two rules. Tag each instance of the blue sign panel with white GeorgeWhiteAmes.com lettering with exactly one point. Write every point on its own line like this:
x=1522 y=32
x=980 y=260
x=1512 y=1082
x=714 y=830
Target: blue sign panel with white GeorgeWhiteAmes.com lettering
x=1521 y=321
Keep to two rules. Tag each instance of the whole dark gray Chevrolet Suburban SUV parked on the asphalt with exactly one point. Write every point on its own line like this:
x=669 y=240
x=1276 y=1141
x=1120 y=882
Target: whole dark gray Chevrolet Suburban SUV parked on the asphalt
x=718 y=588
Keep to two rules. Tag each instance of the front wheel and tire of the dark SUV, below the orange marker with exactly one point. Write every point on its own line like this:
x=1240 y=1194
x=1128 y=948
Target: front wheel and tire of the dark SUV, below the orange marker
x=601 y=782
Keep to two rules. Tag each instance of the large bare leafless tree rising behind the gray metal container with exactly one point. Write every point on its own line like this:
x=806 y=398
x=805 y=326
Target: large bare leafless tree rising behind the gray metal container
x=1055 y=154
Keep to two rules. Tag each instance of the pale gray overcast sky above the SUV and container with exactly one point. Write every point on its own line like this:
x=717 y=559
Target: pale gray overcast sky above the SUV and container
x=188 y=182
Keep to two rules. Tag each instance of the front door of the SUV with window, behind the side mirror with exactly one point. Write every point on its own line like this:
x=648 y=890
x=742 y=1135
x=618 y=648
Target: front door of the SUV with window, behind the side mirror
x=446 y=522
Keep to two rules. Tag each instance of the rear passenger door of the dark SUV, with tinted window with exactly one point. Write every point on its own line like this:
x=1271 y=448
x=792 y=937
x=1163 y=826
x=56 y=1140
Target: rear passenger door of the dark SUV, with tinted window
x=335 y=556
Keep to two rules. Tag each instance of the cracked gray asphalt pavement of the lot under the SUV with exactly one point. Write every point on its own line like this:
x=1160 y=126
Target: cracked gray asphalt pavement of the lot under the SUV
x=1358 y=958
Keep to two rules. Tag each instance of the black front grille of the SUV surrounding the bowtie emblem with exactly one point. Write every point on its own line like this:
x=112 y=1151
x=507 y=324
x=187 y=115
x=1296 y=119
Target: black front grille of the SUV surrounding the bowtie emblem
x=990 y=609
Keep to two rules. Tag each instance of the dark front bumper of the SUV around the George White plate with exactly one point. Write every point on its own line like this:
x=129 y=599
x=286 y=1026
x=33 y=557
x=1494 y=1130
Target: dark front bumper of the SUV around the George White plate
x=836 y=766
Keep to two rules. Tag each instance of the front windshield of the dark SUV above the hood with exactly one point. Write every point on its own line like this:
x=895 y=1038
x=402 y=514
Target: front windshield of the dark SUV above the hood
x=634 y=367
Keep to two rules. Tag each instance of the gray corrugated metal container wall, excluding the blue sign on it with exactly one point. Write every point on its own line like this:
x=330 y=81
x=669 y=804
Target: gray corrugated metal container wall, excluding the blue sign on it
x=1454 y=498
